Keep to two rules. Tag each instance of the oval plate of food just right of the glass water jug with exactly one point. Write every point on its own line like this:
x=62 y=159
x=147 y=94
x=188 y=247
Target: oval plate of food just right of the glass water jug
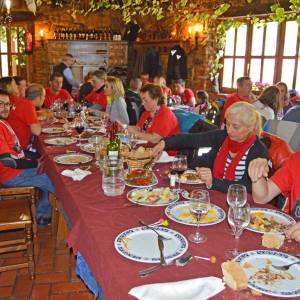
x=152 y=196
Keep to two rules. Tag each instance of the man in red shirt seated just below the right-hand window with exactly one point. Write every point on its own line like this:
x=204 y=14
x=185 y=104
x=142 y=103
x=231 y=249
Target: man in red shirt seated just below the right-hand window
x=244 y=93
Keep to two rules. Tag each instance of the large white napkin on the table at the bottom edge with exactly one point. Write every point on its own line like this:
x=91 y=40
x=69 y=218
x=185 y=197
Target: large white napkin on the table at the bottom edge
x=192 y=289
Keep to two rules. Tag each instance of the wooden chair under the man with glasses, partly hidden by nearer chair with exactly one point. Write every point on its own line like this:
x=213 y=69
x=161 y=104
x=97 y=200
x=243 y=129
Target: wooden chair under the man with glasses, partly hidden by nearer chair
x=30 y=193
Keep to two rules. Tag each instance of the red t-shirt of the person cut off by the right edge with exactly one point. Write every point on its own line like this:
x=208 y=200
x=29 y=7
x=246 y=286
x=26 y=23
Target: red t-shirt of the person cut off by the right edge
x=288 y=180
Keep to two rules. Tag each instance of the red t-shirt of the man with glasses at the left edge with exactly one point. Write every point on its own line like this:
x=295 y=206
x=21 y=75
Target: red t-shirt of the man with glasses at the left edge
x=7 y=142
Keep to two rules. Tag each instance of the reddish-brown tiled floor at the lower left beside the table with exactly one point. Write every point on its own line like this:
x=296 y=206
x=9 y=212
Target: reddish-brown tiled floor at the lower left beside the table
x=55 y=274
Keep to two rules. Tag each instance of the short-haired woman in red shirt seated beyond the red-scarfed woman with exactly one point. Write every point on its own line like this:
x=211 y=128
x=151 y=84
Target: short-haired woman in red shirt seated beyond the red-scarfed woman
x=157 y=121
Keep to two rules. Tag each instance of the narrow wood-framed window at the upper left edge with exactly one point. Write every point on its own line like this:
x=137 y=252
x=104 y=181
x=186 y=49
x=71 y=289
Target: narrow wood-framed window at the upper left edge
x=12 y=51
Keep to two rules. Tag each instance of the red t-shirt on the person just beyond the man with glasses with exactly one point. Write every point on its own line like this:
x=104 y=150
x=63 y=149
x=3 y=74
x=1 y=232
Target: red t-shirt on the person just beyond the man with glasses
x=21 y=117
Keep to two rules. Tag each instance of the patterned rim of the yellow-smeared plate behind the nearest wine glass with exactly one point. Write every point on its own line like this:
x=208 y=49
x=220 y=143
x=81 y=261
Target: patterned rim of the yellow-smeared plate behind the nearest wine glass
x=168 y=212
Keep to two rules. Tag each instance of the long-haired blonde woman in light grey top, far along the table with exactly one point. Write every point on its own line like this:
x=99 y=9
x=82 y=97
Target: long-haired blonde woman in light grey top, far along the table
x=116 y=105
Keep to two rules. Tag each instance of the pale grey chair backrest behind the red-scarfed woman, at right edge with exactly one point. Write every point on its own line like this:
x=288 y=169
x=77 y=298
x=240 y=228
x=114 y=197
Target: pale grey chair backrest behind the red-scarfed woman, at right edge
x=289 y=131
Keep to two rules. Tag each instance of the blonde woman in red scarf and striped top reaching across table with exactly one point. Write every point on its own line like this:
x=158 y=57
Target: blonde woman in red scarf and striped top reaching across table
x=223 y=156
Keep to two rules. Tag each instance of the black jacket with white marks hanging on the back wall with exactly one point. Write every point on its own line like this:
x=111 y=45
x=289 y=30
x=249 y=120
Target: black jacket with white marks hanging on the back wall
x=177 y=64
